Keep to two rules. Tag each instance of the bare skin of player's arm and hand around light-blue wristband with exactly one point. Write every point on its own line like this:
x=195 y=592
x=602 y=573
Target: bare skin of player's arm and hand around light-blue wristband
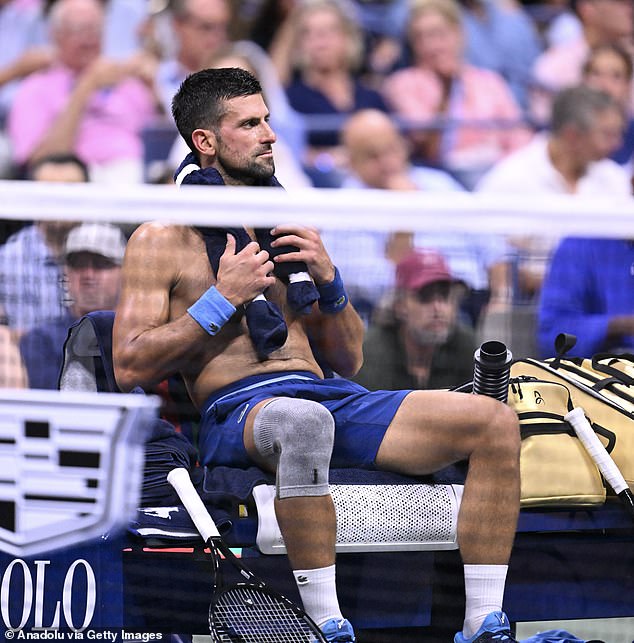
x=148 y=345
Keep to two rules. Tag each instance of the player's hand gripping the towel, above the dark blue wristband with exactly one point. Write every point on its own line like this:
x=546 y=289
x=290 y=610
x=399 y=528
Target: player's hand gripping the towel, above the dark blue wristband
x=310 y=250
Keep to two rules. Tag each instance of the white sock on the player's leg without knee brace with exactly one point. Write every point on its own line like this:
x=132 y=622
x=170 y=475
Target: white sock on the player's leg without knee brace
x=484 y=593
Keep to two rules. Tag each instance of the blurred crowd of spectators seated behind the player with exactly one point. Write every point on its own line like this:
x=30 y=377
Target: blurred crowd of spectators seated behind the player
x=487 y=96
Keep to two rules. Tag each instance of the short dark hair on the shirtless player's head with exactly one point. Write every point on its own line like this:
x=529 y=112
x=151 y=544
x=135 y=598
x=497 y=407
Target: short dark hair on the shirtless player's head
x=200 y=100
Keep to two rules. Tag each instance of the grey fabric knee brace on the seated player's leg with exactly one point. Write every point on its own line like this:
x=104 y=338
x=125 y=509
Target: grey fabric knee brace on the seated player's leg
x=301 y=434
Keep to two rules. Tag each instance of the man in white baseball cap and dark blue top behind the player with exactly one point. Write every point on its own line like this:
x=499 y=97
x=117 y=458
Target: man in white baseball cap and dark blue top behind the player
x=93 y=255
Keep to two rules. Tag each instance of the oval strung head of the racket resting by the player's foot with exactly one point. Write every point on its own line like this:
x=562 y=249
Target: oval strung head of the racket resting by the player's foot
x=250 y=615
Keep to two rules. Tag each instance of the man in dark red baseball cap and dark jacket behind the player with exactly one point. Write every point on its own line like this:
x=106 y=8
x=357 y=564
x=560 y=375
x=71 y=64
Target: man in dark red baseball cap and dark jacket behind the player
x=421 y=343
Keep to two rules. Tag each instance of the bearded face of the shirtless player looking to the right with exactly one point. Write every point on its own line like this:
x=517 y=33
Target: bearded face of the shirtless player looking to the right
x=244 y=142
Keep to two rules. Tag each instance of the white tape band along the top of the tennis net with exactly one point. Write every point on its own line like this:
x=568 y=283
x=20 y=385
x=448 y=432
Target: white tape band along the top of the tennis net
x=550 y=215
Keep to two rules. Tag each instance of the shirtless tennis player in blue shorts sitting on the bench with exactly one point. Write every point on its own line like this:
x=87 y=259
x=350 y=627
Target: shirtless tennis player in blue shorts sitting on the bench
x=176 y=316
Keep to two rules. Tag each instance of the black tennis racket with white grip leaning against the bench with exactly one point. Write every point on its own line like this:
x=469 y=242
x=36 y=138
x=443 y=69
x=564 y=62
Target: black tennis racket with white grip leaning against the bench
x=248 y=611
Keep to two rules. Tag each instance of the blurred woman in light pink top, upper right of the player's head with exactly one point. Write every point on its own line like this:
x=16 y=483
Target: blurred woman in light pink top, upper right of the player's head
x=477 y=119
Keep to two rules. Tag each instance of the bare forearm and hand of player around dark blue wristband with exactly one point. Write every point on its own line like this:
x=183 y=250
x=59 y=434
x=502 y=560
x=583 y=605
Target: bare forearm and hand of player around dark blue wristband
x=337 y=334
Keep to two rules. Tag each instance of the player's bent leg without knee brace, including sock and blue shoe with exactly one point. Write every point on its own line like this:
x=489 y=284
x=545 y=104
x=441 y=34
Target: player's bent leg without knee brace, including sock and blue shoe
x=433 y=429
